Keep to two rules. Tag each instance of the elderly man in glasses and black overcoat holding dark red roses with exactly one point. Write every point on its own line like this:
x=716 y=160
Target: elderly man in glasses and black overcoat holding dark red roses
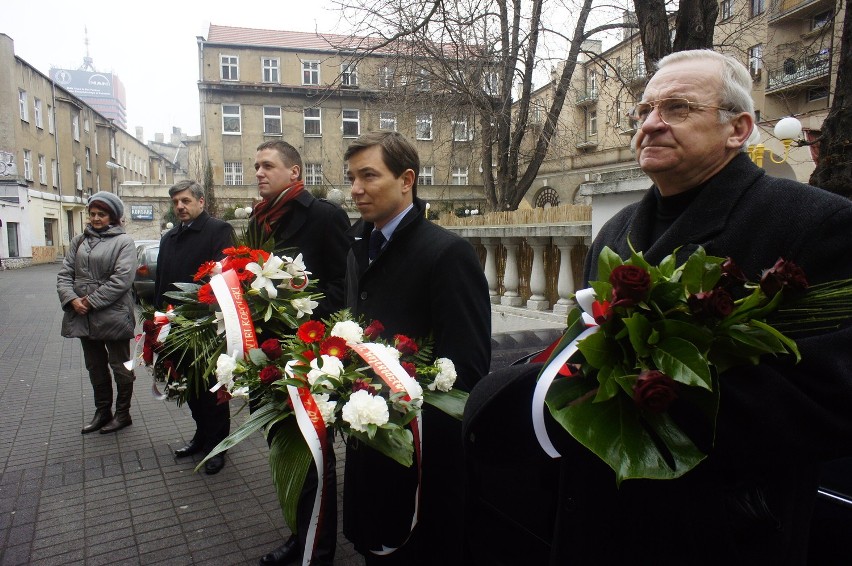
x=750 y=501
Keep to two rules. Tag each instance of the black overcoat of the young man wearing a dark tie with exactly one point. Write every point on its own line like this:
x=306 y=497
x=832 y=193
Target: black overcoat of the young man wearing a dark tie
x=426 y=281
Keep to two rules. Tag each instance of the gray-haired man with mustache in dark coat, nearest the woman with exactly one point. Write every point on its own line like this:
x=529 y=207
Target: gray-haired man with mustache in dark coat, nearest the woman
x=196 y=239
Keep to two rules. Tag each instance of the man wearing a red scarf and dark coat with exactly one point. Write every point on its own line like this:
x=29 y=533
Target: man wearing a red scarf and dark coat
x=301 y=224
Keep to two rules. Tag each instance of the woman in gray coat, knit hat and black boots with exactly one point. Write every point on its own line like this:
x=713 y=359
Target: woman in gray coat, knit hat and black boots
x=94 y=290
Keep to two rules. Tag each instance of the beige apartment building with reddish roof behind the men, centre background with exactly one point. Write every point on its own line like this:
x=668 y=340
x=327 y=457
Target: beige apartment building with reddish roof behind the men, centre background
x=319 y=92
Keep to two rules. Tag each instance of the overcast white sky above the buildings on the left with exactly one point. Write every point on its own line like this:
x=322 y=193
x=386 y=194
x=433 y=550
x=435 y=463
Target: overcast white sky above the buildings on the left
x=151 y=45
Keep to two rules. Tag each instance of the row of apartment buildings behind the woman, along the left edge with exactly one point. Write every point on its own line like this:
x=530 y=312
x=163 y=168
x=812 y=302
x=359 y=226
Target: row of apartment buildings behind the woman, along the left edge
x=55 y=151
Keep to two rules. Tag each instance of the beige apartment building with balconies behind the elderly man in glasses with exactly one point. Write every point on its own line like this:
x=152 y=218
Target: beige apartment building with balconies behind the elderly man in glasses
x=792 y=50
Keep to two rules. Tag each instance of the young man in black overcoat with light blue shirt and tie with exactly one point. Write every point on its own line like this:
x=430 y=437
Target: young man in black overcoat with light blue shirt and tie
x=422 y=281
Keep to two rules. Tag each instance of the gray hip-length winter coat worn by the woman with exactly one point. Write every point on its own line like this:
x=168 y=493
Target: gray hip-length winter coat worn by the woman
x=100 y=266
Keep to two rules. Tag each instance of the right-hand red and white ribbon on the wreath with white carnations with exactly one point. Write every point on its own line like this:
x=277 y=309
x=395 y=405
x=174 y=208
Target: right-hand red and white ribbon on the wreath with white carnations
x=397 y=379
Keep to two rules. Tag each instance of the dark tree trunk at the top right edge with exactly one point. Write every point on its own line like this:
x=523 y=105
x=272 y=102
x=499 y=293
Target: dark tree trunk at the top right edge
x=834 y=164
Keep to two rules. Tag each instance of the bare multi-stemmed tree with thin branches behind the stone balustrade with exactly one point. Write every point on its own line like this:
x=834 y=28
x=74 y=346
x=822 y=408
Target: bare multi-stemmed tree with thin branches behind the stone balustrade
x=481 y=55
